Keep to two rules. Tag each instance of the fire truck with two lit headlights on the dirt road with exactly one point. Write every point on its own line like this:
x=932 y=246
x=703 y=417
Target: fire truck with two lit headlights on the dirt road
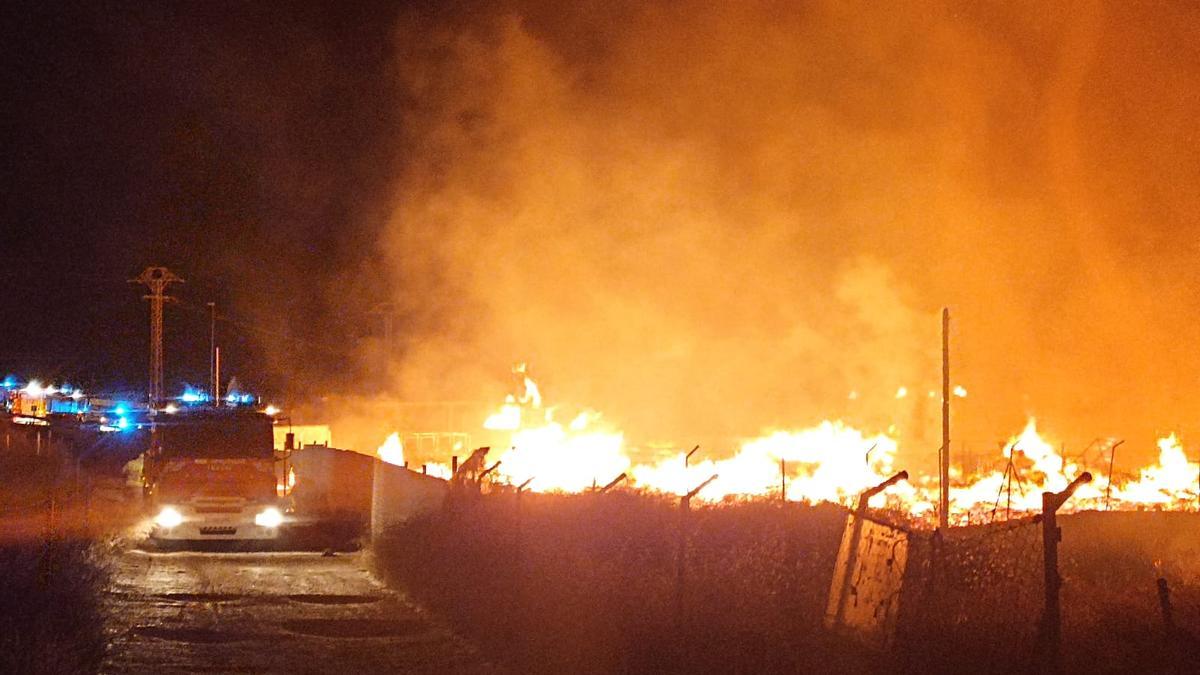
x=211 y=474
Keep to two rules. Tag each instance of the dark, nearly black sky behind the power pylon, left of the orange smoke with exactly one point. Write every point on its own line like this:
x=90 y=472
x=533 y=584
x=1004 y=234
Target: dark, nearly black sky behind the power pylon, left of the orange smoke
x=247 y=146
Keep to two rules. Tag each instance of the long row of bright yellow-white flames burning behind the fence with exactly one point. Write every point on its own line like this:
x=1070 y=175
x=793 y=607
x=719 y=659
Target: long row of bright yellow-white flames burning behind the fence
x=830 y=462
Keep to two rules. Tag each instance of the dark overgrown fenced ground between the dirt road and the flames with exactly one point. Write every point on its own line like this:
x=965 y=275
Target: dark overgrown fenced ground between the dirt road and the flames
x=625 y=582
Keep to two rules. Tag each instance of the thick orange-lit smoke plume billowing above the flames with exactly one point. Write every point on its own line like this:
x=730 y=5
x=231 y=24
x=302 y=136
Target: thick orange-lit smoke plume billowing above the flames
x=709 y=219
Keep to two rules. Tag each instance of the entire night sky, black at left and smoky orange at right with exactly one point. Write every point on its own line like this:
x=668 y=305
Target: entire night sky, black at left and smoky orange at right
x=683 y=214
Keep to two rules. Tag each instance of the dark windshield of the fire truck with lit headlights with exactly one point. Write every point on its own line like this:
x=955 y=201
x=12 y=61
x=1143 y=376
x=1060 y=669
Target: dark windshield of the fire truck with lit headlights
x=231 y=437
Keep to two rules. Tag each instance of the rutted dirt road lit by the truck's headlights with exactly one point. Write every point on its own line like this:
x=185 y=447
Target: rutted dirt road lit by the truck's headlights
x=269 y=613
